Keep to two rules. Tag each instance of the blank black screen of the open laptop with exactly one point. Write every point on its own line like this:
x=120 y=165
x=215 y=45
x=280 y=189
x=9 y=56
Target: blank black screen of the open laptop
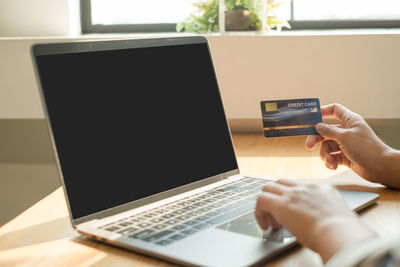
x=129 y=123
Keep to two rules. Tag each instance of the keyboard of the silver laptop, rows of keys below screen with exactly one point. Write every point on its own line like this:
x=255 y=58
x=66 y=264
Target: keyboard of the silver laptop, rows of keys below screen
x=177 y=220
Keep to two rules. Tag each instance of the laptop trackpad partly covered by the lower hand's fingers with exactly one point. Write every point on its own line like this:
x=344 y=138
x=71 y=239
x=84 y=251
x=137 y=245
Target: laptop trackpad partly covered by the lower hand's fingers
x=248 y=225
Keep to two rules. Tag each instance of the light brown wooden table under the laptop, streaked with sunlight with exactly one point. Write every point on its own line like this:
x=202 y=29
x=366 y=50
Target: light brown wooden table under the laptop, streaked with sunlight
x=42 y=235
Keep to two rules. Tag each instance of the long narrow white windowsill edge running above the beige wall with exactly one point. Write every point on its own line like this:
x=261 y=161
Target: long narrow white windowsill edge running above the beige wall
x=338 y=32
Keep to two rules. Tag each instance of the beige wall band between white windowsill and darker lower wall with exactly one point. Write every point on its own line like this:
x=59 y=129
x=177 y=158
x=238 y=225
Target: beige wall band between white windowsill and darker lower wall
x=361 y=71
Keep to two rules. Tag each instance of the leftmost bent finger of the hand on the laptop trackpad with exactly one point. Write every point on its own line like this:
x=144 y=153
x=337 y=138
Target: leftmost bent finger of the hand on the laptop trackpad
x=265 y=202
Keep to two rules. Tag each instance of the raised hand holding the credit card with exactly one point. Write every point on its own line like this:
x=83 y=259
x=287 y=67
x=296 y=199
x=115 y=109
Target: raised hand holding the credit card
x=354 y=144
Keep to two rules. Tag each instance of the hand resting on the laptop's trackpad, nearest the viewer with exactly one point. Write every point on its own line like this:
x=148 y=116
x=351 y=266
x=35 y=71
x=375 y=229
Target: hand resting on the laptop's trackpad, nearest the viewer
x=316 y=214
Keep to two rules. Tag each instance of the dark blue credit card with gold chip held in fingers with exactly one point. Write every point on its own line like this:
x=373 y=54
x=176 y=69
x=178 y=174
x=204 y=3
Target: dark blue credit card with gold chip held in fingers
x=290 y=117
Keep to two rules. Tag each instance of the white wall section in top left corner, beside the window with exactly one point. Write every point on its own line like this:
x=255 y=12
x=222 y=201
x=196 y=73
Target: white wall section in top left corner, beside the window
x=34 y=18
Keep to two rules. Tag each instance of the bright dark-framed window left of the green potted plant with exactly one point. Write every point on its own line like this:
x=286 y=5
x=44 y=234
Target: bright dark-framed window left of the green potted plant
x=133 y=15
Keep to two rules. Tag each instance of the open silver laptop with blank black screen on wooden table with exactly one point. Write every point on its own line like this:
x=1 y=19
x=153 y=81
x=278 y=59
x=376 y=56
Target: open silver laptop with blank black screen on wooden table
x=145 y=153
